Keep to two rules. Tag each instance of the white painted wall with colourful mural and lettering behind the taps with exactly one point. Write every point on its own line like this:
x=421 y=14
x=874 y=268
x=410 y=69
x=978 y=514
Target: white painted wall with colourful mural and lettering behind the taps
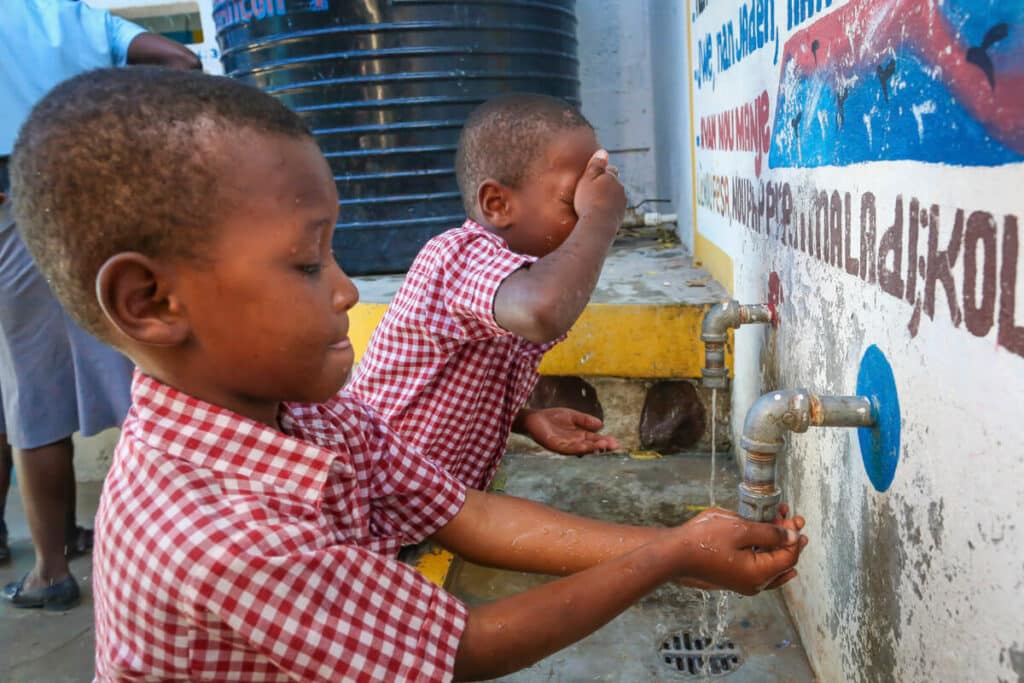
x=869 y=155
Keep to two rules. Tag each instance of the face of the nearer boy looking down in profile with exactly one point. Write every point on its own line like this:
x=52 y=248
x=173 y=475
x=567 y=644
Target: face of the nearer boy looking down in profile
x=268 y=305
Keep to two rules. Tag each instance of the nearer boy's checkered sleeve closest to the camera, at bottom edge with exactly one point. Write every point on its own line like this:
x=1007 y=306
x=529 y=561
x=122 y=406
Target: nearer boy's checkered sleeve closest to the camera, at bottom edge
x=338 y=614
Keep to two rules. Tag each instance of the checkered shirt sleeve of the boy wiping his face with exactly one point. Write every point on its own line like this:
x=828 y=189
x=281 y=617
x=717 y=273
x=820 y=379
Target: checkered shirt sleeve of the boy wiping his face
x=471 y=281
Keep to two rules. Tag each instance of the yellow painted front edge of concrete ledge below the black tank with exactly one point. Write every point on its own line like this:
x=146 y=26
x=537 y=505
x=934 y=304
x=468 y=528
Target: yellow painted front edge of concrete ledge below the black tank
x=650 y=341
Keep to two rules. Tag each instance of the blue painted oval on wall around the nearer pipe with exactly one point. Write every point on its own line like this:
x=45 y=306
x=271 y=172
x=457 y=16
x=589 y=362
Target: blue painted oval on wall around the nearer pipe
x=879 y=445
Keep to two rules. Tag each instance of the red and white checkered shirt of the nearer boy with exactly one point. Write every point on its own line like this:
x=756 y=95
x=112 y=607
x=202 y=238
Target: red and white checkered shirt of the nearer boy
x=229 y=551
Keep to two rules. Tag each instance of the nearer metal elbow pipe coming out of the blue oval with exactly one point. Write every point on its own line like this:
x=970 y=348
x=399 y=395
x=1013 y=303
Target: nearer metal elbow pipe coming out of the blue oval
x=770 y=418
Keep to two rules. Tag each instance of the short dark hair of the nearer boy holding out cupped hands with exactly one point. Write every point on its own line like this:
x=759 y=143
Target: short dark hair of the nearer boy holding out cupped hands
x=122 y=160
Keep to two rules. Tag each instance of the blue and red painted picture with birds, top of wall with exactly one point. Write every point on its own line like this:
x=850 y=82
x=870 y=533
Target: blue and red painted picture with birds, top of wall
x=881 y=80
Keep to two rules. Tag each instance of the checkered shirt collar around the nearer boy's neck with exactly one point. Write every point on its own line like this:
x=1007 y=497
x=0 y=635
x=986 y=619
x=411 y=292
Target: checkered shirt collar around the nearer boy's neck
x=232 y=446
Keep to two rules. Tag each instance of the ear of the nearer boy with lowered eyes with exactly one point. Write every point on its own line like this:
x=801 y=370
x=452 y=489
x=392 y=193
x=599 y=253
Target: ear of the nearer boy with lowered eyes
x=137 y=297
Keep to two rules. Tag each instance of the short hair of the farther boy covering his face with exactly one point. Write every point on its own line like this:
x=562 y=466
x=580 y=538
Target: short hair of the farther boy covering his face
x=504 y=136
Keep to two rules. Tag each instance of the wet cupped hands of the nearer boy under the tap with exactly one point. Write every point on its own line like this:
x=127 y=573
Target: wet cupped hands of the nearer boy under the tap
x=739 y=556
